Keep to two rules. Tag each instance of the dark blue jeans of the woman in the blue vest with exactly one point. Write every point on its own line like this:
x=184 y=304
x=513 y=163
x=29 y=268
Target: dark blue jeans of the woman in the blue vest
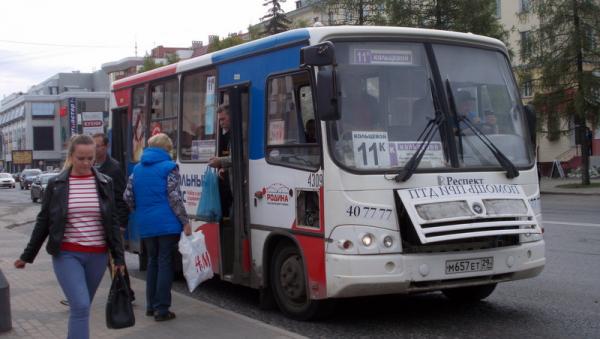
x=159 y=277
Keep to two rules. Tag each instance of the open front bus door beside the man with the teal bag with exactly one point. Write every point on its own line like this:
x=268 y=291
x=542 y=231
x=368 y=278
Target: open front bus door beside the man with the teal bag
x=234 y=238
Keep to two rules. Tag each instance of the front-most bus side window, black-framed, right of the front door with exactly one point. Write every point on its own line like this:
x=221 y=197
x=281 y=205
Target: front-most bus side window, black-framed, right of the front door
x=291 y=126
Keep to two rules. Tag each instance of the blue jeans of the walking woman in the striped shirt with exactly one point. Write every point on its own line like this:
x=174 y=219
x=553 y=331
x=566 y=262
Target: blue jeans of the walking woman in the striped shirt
x=79 y=275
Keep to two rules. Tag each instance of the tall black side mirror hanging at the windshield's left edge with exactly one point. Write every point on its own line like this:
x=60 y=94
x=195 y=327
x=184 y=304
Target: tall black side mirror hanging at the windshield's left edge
x=327 y=100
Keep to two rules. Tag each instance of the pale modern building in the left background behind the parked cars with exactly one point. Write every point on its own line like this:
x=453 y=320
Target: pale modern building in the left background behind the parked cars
x=42 y=120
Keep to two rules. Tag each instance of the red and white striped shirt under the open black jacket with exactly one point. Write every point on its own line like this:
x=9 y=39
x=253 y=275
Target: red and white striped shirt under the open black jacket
x=83 y=231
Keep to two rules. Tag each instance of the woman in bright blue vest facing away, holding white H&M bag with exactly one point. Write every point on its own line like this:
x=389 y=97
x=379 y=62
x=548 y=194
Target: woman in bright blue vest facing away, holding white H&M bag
x=153 y=193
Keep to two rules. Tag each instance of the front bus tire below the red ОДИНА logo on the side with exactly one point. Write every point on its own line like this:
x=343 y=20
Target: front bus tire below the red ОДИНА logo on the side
x=288 y=283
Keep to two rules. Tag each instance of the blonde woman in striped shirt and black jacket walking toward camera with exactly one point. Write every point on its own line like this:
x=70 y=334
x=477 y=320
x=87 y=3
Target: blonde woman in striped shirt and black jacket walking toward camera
x=78 y=217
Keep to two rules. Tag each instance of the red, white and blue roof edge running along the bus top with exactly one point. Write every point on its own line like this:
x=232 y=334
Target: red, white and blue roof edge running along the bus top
x=314 y=35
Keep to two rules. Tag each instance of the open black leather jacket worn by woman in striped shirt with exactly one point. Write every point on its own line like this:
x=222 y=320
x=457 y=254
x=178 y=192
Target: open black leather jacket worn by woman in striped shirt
x=52 y=218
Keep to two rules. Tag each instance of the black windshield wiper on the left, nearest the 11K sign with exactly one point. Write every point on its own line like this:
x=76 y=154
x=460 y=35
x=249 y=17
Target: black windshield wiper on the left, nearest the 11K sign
x=425 y=137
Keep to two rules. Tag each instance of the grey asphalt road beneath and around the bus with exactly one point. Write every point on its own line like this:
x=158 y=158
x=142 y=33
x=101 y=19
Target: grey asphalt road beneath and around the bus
x=563 y=302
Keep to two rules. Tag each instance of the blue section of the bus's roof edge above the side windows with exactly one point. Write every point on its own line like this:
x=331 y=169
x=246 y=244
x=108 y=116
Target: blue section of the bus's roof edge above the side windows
x=261 y=44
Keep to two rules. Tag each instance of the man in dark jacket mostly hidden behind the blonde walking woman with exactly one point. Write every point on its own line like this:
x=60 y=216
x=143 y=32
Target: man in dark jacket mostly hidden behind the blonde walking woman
x=106 y=165
